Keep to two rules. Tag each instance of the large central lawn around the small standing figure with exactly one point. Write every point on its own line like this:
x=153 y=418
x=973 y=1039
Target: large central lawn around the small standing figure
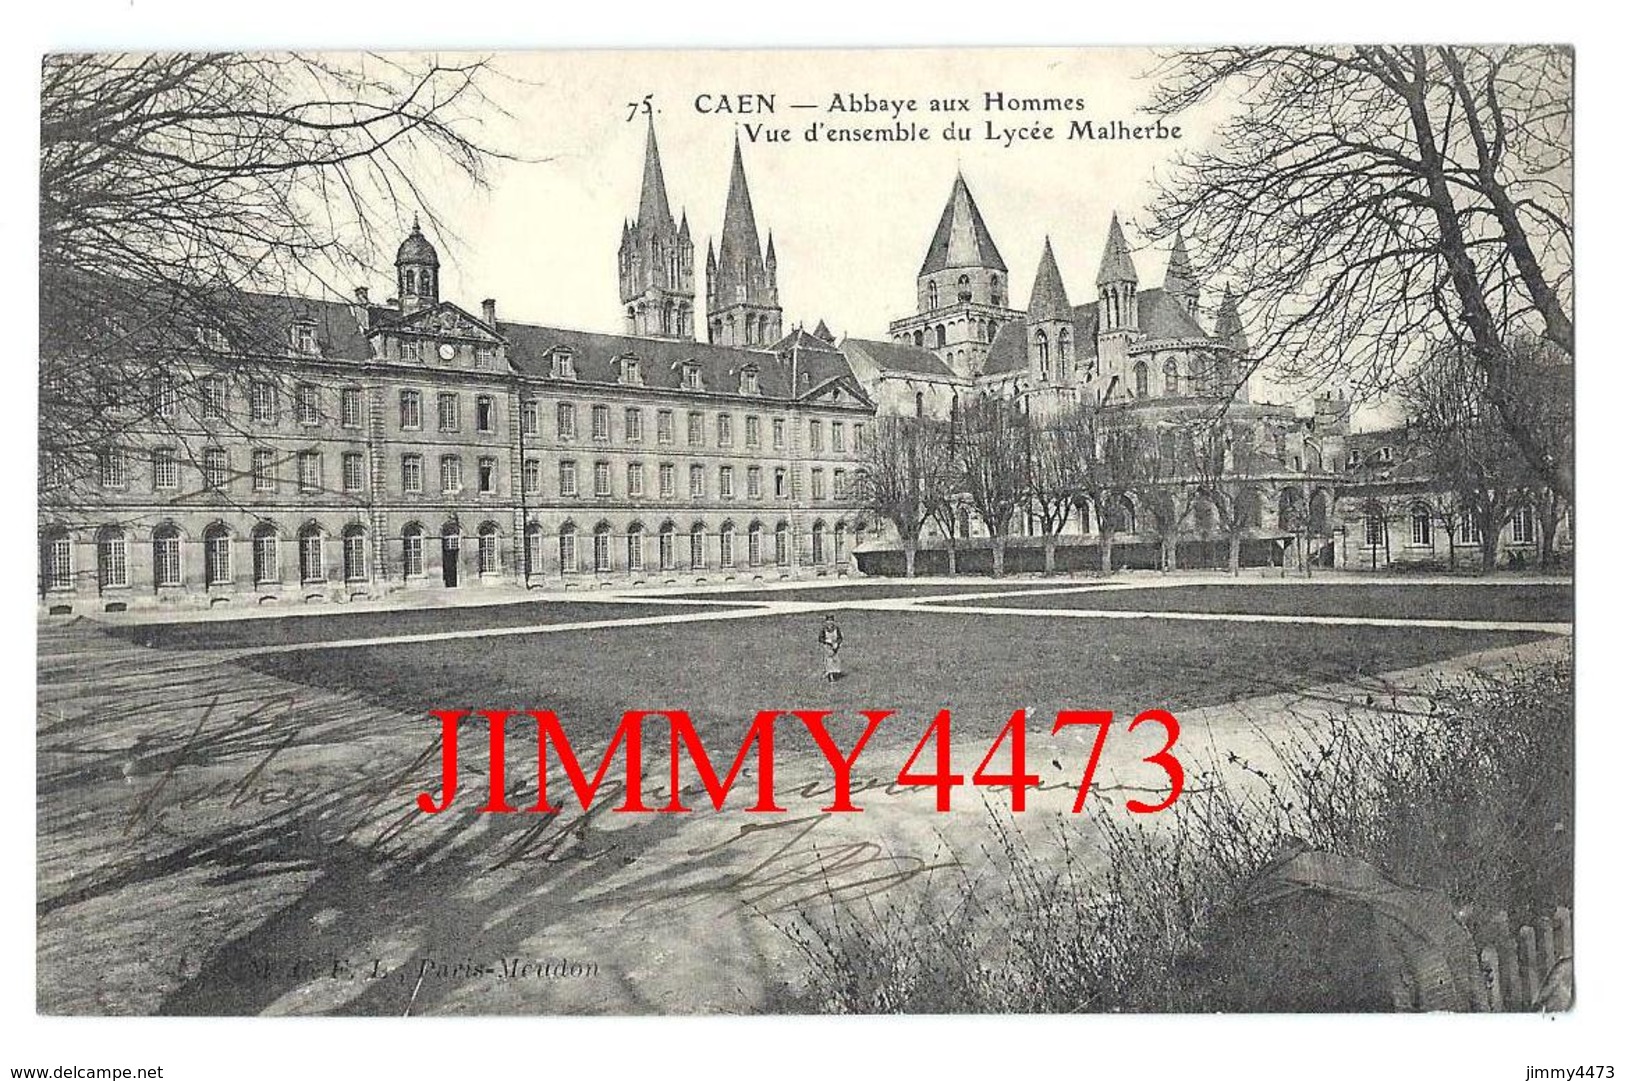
x=981 y=666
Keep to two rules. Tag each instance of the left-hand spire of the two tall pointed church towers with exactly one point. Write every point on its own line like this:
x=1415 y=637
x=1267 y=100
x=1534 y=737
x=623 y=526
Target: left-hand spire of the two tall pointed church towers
x=657 y=259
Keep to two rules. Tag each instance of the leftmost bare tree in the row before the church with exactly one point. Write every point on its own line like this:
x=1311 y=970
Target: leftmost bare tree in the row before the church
x=899 y=475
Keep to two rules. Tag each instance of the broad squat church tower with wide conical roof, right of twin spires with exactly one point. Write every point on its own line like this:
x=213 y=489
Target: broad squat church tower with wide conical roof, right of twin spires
x=963 y=289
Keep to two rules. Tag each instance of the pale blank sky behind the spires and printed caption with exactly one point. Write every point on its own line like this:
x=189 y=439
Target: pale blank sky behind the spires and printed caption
x=851 y=222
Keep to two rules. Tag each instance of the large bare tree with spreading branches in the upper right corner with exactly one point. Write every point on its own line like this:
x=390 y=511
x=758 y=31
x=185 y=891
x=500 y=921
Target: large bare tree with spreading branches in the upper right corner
x=1372 y=199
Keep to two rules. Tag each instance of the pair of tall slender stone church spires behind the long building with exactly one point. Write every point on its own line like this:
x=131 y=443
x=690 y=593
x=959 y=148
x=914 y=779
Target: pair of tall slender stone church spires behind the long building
x=657 y=267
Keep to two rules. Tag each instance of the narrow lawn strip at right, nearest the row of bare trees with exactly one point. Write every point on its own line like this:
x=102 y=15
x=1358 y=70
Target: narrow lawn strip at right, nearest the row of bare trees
x=1520 y=604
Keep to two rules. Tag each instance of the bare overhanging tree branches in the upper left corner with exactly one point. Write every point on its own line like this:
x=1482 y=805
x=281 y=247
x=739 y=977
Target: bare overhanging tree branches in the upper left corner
x=183 y=193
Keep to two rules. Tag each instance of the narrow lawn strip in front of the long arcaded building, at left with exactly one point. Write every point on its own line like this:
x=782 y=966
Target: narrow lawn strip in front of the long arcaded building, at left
x=332 y=627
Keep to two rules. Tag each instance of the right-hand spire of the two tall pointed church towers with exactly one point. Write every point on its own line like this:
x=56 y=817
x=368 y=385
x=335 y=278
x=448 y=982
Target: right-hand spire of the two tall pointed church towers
x=742 y=284
